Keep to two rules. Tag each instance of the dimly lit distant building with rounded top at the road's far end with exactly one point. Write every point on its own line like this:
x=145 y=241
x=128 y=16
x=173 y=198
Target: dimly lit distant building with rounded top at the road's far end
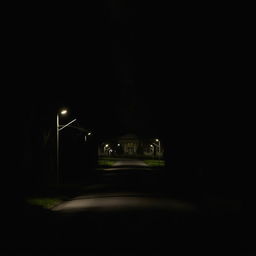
x=131 y=145
